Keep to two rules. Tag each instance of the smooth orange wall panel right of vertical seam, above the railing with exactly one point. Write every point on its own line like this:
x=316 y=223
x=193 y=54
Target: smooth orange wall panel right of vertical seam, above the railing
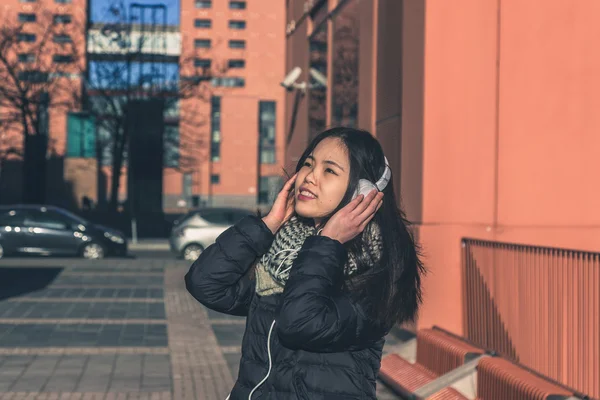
x=549 y=123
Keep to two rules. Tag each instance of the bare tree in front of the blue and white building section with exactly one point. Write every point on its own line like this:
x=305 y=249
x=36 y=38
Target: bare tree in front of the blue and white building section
x=116 y=78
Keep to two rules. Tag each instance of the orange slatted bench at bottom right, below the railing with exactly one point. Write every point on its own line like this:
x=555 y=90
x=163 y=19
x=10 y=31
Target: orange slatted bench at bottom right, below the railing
x=499 y=379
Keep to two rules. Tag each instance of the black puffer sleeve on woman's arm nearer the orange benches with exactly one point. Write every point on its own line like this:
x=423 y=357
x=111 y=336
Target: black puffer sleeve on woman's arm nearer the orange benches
x=312 y=316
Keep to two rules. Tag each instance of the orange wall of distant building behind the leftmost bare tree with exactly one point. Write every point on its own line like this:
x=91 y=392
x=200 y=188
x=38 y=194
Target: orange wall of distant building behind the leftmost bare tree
x=67 y=179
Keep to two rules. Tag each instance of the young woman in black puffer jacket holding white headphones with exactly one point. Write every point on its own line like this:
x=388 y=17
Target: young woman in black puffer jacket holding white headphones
x=322 y=278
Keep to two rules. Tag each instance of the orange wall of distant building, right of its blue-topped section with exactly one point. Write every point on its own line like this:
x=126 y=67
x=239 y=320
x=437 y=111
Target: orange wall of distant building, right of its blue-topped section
x=265 y=68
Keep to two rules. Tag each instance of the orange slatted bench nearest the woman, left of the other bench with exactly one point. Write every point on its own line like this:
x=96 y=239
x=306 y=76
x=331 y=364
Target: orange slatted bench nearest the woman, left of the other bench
x=437 y=353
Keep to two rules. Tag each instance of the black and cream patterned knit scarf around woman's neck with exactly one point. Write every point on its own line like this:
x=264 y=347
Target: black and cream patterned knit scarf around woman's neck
x=273 y=269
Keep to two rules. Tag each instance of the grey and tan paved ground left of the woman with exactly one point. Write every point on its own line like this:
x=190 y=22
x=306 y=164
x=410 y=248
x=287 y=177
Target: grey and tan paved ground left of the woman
x=112 y=329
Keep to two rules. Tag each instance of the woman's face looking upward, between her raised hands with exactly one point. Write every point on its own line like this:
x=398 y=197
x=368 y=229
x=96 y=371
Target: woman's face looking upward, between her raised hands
x=322 y=180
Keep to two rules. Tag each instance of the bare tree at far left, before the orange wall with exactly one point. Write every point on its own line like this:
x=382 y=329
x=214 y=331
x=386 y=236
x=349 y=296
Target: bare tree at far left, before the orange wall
x=37 y=57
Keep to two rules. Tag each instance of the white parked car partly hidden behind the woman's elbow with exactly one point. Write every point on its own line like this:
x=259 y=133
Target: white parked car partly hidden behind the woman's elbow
x=198 y=229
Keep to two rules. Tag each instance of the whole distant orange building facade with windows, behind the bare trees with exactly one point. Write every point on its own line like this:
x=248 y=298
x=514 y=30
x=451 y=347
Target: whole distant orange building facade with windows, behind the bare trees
x=230 y=138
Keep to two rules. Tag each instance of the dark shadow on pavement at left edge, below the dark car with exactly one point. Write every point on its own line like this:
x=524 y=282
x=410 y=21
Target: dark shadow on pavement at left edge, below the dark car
x=19 y=281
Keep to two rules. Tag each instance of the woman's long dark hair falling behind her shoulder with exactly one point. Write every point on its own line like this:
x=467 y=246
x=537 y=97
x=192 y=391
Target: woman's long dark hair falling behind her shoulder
x=391 y=290
